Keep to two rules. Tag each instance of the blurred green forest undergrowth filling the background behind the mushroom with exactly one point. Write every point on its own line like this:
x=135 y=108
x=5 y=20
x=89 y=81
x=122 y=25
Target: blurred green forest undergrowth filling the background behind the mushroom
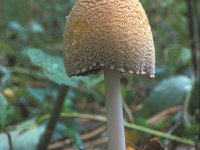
x=32 y=74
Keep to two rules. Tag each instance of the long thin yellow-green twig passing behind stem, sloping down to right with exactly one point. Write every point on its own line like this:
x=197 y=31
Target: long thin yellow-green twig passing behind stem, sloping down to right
x=127 y=125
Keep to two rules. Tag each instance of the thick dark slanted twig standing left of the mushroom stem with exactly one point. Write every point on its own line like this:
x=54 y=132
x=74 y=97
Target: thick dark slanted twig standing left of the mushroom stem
x=53 y=119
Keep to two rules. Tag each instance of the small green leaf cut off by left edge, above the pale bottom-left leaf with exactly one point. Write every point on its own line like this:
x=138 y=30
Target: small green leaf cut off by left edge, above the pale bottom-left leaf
x=3 y=111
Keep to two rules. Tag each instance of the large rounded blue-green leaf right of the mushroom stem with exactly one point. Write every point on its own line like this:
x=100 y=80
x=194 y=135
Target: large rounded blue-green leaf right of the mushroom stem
x=168 y=93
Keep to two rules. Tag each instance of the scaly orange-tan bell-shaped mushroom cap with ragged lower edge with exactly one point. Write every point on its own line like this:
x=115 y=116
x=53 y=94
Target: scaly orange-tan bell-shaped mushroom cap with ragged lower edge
x=112 y=34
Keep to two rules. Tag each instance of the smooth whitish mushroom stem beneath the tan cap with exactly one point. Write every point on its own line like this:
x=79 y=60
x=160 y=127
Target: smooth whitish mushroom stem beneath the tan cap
x=115 y=121
